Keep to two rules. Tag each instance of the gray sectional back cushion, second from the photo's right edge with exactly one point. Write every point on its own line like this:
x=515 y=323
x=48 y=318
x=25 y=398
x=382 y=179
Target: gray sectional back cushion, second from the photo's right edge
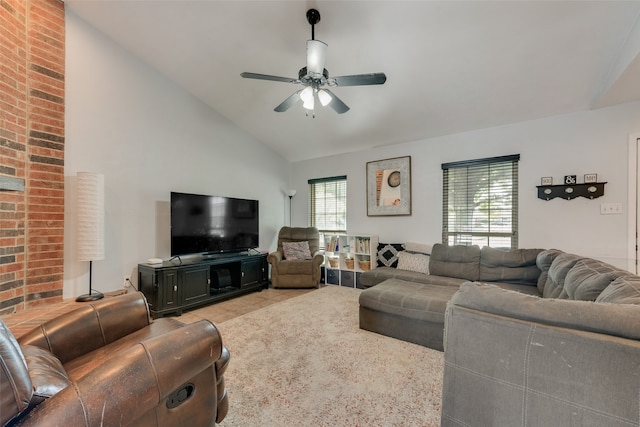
x=587 y=279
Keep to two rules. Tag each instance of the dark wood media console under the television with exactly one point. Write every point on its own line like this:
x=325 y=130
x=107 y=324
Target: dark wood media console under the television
x=175 y=286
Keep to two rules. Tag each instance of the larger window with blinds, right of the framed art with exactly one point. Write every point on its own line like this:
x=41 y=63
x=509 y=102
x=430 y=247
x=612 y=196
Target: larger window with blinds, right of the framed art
x=480 y=202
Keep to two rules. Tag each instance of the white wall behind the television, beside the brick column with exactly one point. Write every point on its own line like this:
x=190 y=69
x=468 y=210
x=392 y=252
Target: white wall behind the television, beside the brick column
x=149 y=137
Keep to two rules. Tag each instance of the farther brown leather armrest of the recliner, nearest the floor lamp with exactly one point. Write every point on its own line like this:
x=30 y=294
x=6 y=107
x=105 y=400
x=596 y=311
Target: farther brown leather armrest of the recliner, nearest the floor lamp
x=91 y=326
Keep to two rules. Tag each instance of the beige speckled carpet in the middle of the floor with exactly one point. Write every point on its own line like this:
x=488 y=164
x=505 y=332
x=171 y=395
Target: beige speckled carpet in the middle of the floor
x=305 y=362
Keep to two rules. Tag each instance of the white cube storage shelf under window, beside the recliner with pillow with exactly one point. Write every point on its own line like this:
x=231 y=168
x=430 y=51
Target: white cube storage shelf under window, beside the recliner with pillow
x=346 y=256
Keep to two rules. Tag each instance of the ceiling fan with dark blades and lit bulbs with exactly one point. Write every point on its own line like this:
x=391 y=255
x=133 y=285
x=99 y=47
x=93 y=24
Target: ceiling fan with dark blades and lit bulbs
x=316 y=78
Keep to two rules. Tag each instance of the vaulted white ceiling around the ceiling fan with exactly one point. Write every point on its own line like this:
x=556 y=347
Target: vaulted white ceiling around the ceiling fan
x=451 y=66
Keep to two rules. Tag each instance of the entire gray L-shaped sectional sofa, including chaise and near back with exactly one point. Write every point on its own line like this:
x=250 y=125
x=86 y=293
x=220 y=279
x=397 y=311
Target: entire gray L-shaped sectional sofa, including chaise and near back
x=563 y=349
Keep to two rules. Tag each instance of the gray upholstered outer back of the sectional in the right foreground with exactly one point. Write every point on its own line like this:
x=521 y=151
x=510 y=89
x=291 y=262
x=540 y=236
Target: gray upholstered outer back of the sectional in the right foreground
x=501 y=369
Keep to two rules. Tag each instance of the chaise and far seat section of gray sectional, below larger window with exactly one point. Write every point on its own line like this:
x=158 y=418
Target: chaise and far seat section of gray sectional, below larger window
x=410 y=306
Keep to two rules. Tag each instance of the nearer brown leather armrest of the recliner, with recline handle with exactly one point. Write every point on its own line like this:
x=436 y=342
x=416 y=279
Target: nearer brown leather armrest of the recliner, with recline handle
x=137 y=380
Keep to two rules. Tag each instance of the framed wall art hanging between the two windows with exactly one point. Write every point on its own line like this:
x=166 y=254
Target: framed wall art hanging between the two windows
x=389 y=187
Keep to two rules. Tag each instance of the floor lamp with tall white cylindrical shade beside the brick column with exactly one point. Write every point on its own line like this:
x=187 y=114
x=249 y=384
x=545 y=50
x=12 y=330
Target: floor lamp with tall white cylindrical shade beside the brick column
x=90 y=224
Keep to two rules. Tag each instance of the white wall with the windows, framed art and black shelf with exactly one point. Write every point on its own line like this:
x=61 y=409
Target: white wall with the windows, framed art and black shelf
x=573 y=144
